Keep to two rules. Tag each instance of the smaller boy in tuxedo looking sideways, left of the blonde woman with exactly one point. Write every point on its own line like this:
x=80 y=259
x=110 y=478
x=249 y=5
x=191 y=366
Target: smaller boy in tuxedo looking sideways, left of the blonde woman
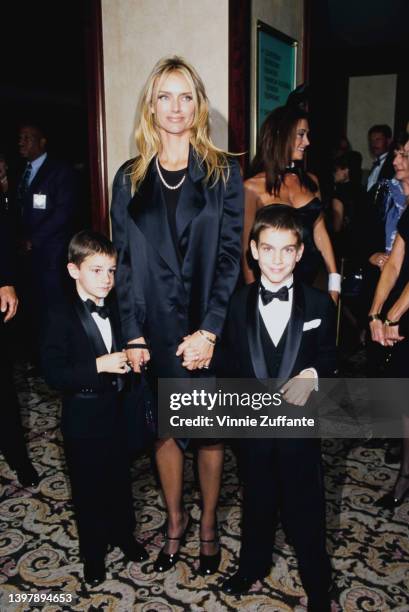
x=82 y=358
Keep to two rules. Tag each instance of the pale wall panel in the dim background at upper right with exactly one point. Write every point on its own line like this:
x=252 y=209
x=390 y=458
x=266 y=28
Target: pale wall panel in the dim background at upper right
x=371 y=100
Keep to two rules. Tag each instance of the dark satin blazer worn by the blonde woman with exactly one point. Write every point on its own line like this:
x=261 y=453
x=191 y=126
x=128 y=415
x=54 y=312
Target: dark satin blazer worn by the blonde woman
x=158 y=297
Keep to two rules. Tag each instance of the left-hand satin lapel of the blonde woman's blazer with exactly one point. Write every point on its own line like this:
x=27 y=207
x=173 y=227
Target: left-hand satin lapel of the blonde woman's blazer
x=148 y=210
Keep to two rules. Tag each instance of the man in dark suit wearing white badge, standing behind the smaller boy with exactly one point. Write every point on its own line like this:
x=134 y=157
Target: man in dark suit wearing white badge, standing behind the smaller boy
x=47 y=195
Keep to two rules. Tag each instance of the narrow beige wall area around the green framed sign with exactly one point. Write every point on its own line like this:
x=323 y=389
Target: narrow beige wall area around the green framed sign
x=287 y=16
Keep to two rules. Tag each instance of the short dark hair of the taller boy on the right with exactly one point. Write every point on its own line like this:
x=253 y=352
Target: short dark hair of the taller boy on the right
x=276 y=216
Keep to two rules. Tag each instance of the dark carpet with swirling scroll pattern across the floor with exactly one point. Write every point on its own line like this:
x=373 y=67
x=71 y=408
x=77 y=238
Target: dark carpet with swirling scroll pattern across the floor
x=39 y=554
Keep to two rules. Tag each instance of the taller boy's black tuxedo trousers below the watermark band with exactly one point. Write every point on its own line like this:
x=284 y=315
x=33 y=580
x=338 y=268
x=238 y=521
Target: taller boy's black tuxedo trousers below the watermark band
x=283 y=477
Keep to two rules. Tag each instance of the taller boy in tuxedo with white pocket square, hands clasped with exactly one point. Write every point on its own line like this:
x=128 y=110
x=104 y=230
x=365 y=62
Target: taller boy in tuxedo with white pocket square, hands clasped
x=278 y=328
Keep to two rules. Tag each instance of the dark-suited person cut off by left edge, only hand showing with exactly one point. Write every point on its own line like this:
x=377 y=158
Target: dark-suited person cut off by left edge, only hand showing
x=12 y=443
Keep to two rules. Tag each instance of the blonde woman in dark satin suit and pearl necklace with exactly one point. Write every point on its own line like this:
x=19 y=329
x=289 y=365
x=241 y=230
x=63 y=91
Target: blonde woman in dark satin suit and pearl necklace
x=177 y=213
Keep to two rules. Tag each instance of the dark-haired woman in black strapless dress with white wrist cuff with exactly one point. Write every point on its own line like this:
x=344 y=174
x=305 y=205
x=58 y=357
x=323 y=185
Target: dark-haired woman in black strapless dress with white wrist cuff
x=278 y=178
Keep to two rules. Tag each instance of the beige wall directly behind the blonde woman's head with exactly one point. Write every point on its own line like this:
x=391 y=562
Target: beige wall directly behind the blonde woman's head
x=136 y=33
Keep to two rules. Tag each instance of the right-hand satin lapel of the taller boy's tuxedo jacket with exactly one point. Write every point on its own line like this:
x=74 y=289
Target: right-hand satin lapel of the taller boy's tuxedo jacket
x=294 y=334
